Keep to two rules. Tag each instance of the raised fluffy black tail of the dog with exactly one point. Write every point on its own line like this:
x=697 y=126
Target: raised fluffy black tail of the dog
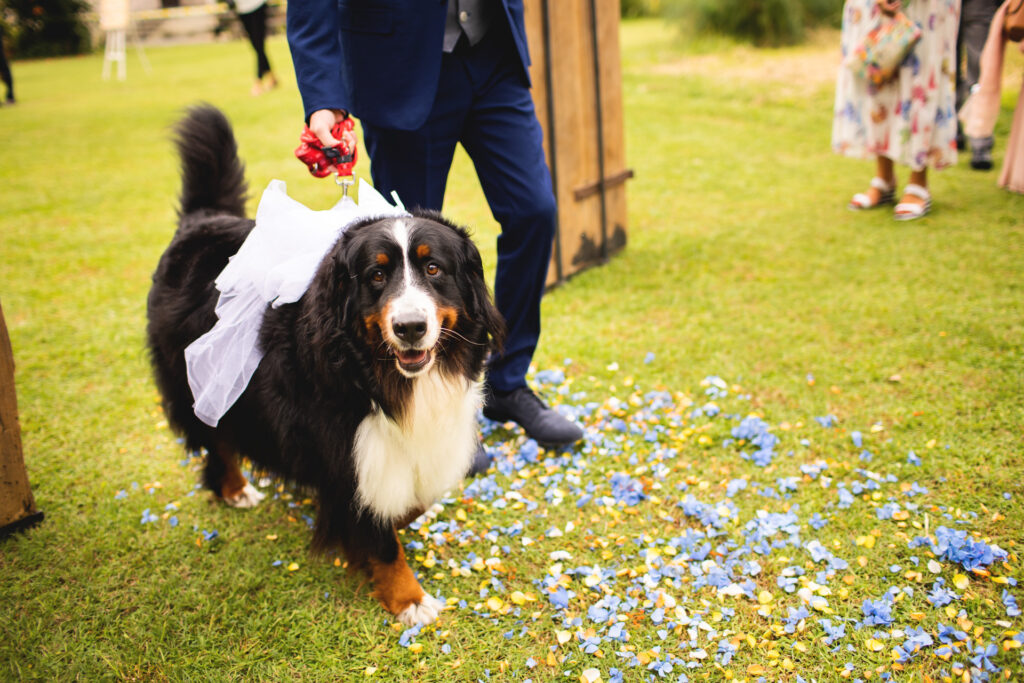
x=212 y=175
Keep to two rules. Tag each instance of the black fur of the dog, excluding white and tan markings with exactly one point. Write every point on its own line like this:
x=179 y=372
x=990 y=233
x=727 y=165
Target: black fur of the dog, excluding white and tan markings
x=324 y=369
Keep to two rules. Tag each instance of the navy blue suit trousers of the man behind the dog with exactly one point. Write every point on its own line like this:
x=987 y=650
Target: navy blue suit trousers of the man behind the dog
x=484 y=103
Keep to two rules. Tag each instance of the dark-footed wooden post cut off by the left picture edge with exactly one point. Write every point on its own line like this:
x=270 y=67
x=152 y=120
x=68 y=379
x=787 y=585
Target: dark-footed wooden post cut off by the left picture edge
x=18 y=508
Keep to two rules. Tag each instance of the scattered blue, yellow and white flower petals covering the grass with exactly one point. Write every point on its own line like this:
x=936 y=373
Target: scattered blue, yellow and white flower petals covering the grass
x=691 y=537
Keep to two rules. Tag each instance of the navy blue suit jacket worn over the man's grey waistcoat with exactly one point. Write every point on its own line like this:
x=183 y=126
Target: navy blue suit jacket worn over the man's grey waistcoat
x=378 y=60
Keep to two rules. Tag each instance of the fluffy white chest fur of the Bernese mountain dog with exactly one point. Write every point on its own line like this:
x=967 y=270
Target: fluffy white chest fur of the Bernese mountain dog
x=409 y=465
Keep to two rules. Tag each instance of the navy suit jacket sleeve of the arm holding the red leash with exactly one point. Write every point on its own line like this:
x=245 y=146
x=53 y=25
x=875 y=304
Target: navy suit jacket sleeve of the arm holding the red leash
x=314 y=39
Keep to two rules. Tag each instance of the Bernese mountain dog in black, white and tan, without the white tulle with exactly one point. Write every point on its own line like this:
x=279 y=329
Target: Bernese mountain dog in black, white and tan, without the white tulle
x=369 y=389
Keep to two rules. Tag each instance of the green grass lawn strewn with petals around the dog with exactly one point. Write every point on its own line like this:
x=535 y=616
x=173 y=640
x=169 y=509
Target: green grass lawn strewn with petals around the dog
x=743 y=264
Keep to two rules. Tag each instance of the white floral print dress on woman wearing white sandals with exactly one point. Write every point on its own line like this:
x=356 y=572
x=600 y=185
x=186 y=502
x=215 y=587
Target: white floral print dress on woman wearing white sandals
x=913 y=118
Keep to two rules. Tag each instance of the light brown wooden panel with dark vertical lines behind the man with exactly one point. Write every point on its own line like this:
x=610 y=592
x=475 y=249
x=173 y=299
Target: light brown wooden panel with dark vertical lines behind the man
x=579 y=98
